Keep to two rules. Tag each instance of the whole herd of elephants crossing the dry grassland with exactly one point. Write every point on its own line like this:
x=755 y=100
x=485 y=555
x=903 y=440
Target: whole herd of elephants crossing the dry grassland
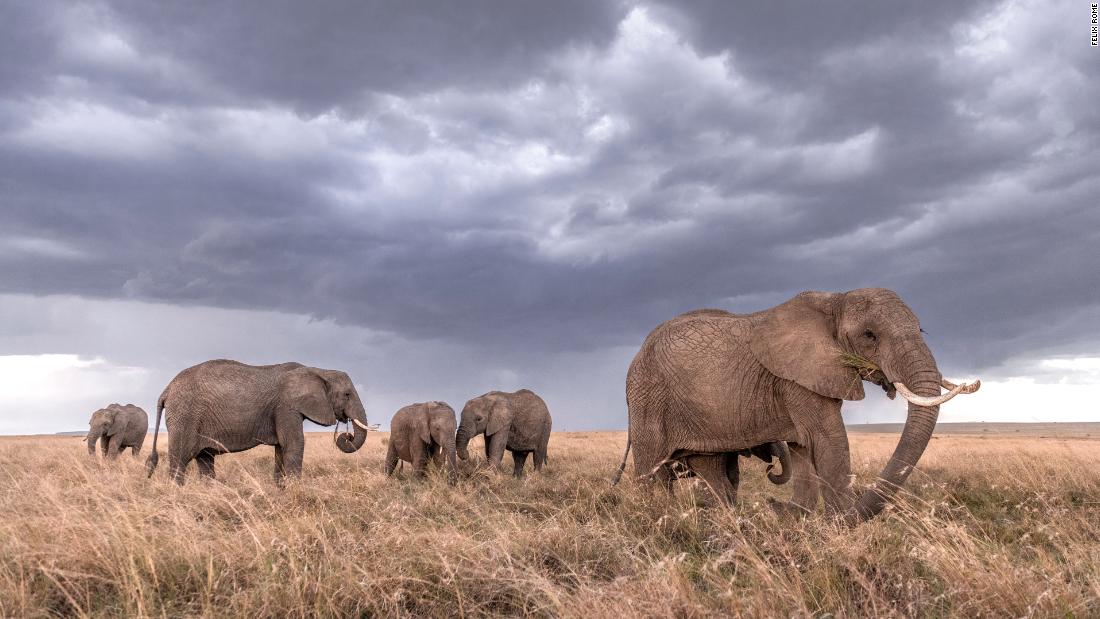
x=707 y=389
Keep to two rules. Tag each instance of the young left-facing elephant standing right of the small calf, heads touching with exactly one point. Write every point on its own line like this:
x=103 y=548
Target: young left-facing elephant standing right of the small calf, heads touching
x=519 y=422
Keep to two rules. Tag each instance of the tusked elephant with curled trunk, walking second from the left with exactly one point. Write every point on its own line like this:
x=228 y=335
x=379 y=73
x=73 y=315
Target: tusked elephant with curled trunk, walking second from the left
x=224 y=406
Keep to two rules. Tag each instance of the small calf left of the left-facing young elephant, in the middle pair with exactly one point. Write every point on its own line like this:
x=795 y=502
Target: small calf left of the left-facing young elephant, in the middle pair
x=421 y=433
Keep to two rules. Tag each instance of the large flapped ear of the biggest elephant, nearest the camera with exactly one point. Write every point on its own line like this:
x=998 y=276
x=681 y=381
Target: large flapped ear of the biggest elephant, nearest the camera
x=797 y=341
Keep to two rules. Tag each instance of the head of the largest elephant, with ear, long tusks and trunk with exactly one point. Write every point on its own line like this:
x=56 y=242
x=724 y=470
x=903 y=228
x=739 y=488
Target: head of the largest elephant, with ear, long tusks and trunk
x=810 y=339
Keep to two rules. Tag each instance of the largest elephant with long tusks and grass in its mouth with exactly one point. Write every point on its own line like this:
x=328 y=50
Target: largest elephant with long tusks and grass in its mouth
x=709 y=382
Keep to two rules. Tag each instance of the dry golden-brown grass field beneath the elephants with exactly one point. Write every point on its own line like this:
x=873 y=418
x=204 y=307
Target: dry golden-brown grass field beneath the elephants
x=1004 y=525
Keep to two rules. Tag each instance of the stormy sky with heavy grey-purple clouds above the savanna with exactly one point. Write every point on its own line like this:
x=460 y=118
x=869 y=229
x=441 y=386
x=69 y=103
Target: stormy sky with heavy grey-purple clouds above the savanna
x=445 y=198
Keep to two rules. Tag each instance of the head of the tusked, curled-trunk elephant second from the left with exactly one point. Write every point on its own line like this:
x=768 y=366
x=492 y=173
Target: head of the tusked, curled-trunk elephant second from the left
x=327 y=397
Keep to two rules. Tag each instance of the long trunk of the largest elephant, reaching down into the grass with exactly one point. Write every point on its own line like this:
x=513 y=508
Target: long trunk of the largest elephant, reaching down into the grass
x=918 y=371
